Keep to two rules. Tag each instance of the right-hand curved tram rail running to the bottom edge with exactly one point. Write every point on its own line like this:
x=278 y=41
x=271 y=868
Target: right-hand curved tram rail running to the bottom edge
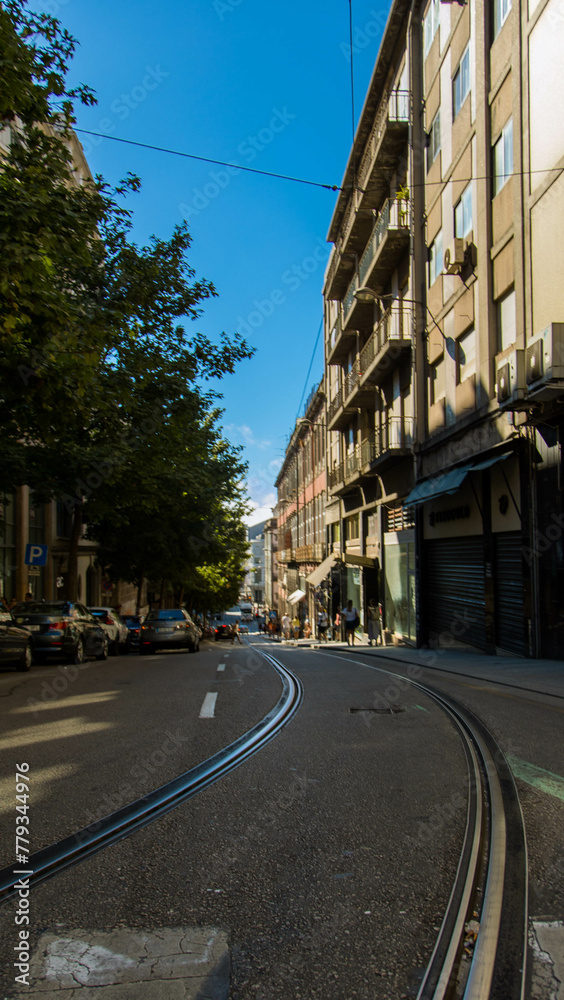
x=490 y=886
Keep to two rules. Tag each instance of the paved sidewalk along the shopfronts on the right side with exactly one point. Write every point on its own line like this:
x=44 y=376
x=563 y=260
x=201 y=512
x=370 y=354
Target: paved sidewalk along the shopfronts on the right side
x=540 y=676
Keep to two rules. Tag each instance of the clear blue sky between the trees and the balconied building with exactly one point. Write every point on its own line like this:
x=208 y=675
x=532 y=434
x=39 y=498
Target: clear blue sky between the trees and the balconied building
x=255 y=84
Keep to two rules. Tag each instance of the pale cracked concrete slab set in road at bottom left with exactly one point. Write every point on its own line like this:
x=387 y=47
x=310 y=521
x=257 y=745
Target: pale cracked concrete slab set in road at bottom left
x=170 y=963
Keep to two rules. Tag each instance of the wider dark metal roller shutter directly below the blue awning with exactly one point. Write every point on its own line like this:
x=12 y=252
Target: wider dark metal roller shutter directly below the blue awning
x=454 y=584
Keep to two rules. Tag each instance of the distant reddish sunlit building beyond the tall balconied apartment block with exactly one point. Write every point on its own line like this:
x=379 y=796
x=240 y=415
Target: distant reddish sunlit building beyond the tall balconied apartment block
x=300 y=515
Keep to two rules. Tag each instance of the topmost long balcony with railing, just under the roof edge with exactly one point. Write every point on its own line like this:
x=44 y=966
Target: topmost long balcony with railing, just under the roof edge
x=388 y=136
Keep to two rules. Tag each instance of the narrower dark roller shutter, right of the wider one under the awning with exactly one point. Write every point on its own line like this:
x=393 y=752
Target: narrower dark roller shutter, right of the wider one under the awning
x=510 y=624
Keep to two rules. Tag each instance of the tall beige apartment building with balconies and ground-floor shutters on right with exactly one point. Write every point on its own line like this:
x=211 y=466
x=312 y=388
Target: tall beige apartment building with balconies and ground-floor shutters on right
x=444 y=310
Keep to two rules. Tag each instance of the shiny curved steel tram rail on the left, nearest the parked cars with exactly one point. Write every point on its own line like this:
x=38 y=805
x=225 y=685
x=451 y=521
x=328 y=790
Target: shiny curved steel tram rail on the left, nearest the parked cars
x=76 y=848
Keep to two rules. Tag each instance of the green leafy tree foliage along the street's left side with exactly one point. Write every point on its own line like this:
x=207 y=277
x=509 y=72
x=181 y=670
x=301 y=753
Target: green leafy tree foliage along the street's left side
x=102 y=392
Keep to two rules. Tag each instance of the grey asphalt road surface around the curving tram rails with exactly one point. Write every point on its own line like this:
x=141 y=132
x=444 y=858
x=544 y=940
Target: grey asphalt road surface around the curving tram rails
x=328 y=857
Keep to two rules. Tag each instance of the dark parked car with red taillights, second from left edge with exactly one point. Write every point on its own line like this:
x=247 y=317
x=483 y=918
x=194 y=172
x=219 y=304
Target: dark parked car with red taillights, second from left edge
x=62 y=627
